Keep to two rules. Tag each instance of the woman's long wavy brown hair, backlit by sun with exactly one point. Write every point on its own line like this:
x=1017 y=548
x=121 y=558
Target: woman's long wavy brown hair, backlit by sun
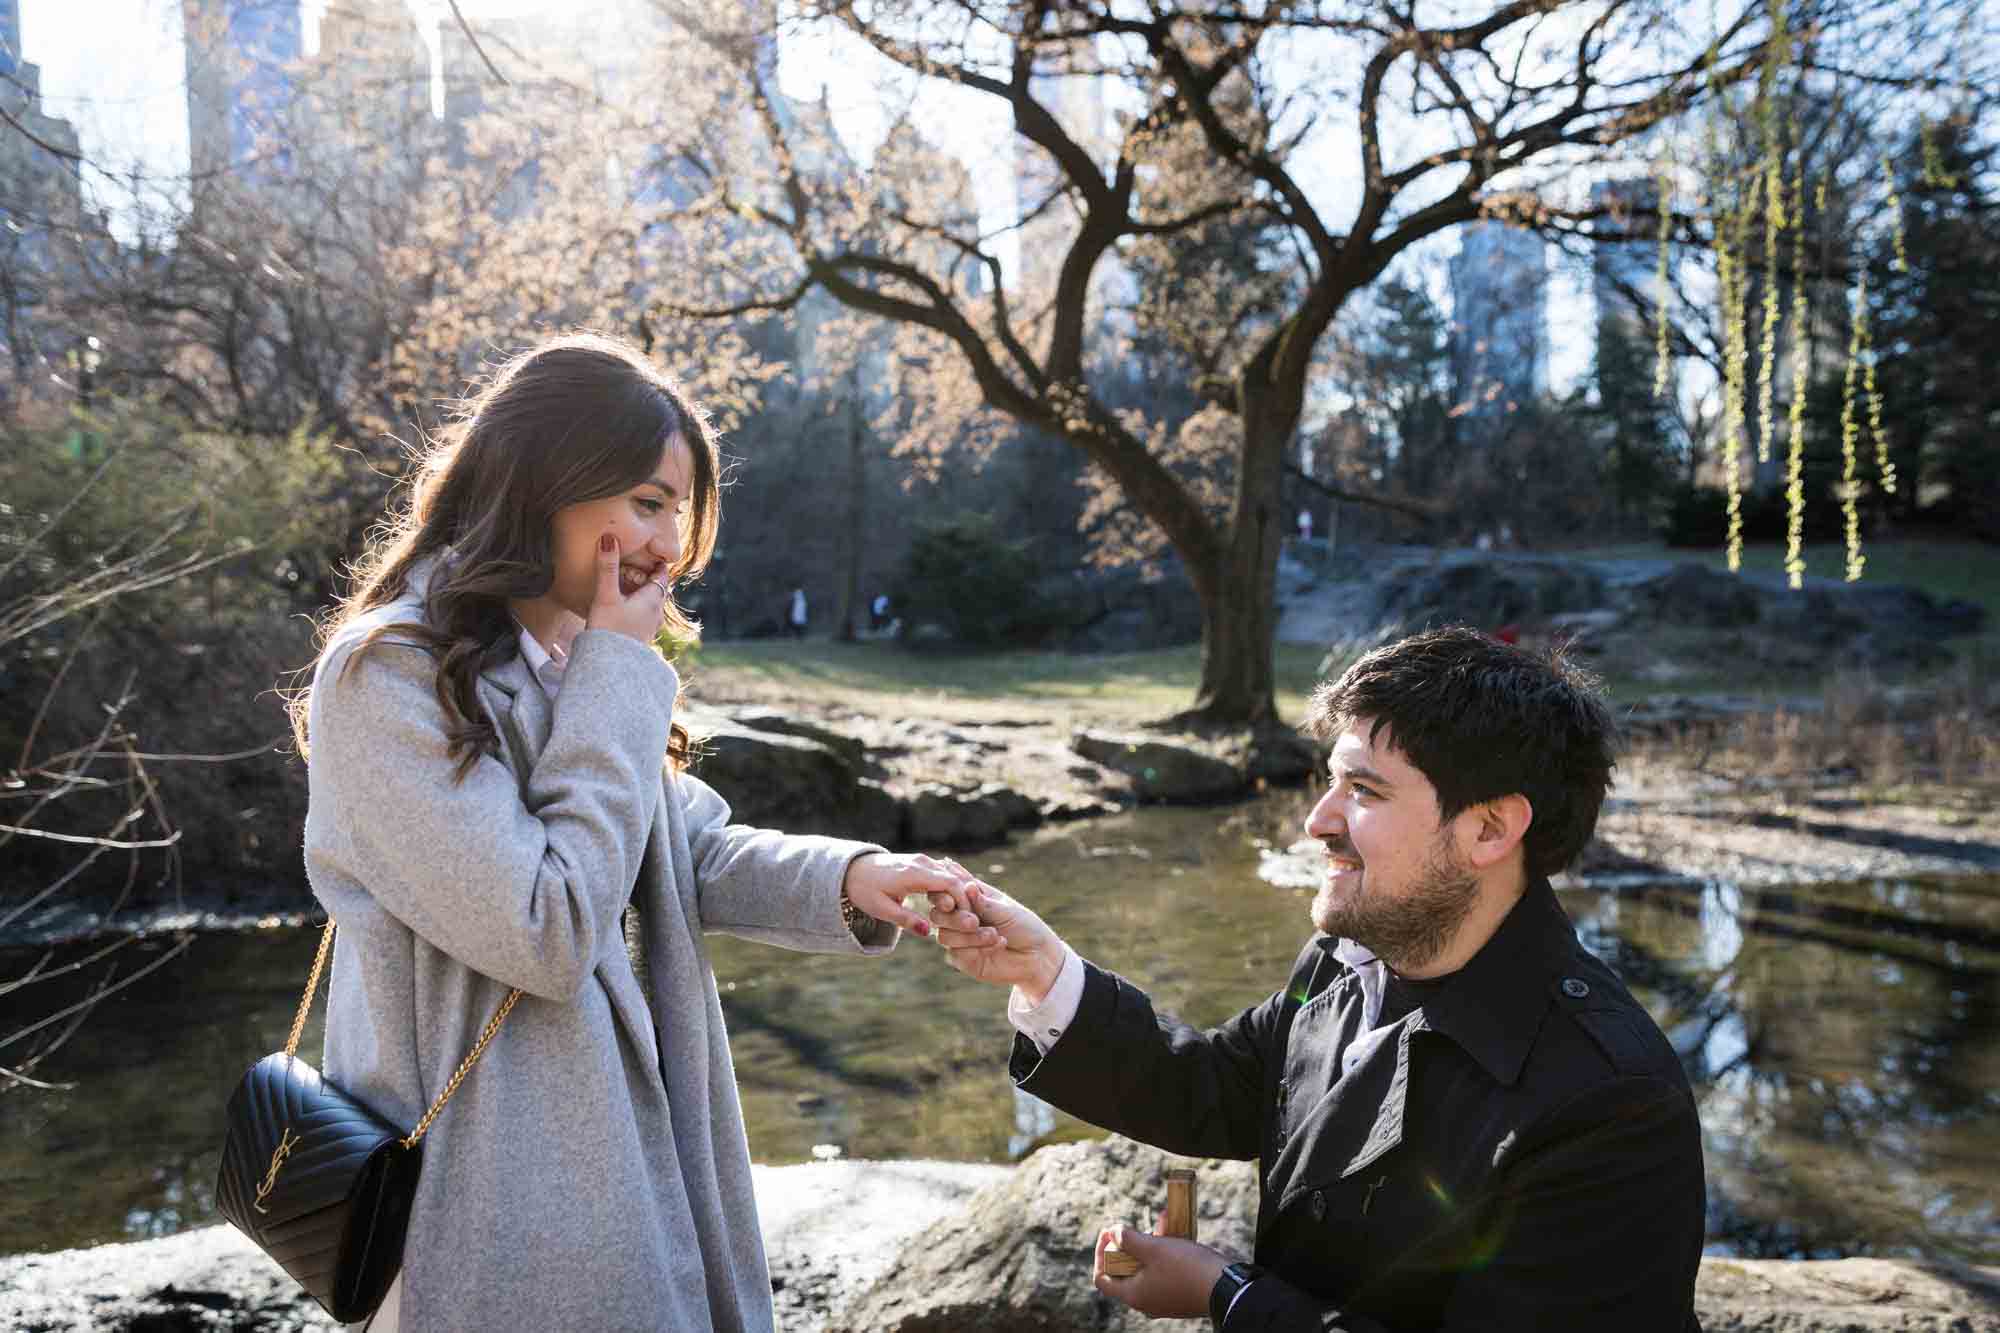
x=571 y=419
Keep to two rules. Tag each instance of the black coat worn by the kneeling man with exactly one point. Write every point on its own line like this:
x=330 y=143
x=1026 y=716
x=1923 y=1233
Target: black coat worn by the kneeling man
x=1517 y=1154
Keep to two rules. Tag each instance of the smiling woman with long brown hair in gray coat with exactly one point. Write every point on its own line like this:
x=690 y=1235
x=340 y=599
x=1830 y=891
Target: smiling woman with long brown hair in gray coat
x=499 y=802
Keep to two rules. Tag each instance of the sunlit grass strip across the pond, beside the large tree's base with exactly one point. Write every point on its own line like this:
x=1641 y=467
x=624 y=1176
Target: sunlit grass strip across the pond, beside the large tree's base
x=885 y=680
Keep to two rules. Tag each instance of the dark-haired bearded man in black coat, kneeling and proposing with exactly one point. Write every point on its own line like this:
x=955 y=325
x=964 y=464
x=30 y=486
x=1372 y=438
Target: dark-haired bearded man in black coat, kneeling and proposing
x=1463 y=1120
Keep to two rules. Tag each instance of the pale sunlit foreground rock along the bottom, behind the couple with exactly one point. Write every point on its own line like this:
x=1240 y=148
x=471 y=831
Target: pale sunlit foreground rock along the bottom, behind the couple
x=923 y=1248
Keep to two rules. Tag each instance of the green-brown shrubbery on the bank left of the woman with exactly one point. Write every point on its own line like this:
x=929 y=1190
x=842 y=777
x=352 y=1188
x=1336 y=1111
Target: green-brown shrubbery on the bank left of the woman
x=215 y=549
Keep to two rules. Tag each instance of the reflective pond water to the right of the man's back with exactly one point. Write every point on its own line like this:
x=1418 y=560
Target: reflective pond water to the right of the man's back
x=1845 y=1048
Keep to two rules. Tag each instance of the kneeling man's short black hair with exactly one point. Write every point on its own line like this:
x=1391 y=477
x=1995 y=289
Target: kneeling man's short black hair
x=1483 y=720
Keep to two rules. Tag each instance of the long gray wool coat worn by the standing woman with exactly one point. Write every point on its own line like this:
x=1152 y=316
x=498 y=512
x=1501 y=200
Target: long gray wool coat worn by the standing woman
x=591 y=1172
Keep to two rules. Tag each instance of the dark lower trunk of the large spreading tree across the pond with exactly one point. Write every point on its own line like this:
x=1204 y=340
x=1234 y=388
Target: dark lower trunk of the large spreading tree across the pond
x=1241 y=593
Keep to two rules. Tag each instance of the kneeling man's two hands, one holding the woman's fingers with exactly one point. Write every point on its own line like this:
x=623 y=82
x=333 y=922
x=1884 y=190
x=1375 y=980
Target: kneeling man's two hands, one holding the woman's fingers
x=995 y=940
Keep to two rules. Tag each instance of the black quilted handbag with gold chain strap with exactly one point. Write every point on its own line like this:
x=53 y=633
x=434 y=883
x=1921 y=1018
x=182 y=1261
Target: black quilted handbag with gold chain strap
x=321 y=1182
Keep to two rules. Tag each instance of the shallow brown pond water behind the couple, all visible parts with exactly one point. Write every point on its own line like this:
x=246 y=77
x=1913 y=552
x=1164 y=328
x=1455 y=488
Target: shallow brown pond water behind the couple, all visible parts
x=1845 y=1040
